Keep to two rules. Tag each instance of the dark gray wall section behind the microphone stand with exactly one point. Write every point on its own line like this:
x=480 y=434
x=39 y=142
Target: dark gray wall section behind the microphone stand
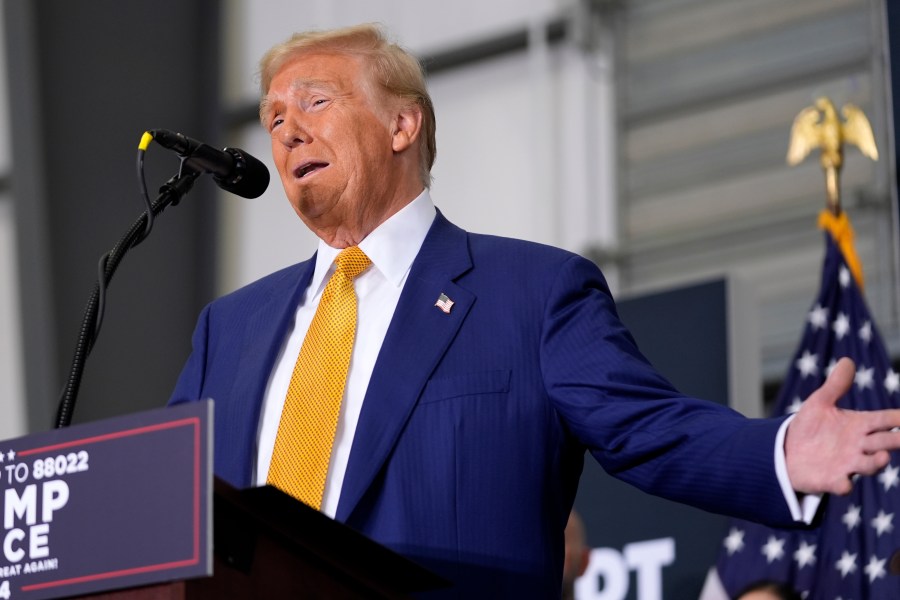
x=86 y=79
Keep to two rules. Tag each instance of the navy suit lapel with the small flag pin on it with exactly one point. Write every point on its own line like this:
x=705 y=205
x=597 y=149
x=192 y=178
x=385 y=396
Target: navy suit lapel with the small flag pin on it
x=417 y=338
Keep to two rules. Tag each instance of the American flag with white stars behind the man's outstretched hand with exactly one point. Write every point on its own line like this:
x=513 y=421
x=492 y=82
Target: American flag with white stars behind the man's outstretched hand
x=848 y=556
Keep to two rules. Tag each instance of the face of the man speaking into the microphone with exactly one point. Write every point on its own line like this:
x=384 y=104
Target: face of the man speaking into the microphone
x=335 y=137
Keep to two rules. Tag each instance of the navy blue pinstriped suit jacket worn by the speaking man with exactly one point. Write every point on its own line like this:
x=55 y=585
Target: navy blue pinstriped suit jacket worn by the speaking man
x=475 y=423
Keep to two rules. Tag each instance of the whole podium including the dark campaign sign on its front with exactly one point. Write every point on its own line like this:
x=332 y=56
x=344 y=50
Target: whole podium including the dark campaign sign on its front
x=128 y=509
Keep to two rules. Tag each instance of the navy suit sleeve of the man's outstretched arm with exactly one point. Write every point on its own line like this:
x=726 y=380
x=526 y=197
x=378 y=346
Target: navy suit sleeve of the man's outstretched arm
x=636 y=424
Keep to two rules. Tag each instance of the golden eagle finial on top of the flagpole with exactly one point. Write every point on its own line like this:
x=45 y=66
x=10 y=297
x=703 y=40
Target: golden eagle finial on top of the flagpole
x=818 y=126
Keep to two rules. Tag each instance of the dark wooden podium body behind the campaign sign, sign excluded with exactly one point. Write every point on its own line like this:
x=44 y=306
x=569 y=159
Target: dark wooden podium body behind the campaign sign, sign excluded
x=268 y=545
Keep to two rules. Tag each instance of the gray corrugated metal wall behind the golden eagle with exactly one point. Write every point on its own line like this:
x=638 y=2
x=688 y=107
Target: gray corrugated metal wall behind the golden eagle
x=708 y=91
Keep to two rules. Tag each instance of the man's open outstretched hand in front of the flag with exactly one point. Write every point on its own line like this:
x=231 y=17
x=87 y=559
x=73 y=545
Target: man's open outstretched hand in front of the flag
x=826 y=445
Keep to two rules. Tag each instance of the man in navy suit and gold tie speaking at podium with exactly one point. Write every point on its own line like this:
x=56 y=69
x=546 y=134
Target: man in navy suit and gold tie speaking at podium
x=481 y=368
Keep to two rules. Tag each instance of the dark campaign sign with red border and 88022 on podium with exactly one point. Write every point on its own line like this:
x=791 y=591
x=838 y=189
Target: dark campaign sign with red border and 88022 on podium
x=110 y=504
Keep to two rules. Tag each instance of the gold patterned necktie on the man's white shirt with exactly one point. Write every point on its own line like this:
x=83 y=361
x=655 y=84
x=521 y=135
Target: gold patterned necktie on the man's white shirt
x=309 y=419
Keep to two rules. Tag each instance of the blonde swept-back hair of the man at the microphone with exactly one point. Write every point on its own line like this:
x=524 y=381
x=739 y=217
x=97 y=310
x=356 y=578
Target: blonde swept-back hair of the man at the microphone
x=394 y=69
